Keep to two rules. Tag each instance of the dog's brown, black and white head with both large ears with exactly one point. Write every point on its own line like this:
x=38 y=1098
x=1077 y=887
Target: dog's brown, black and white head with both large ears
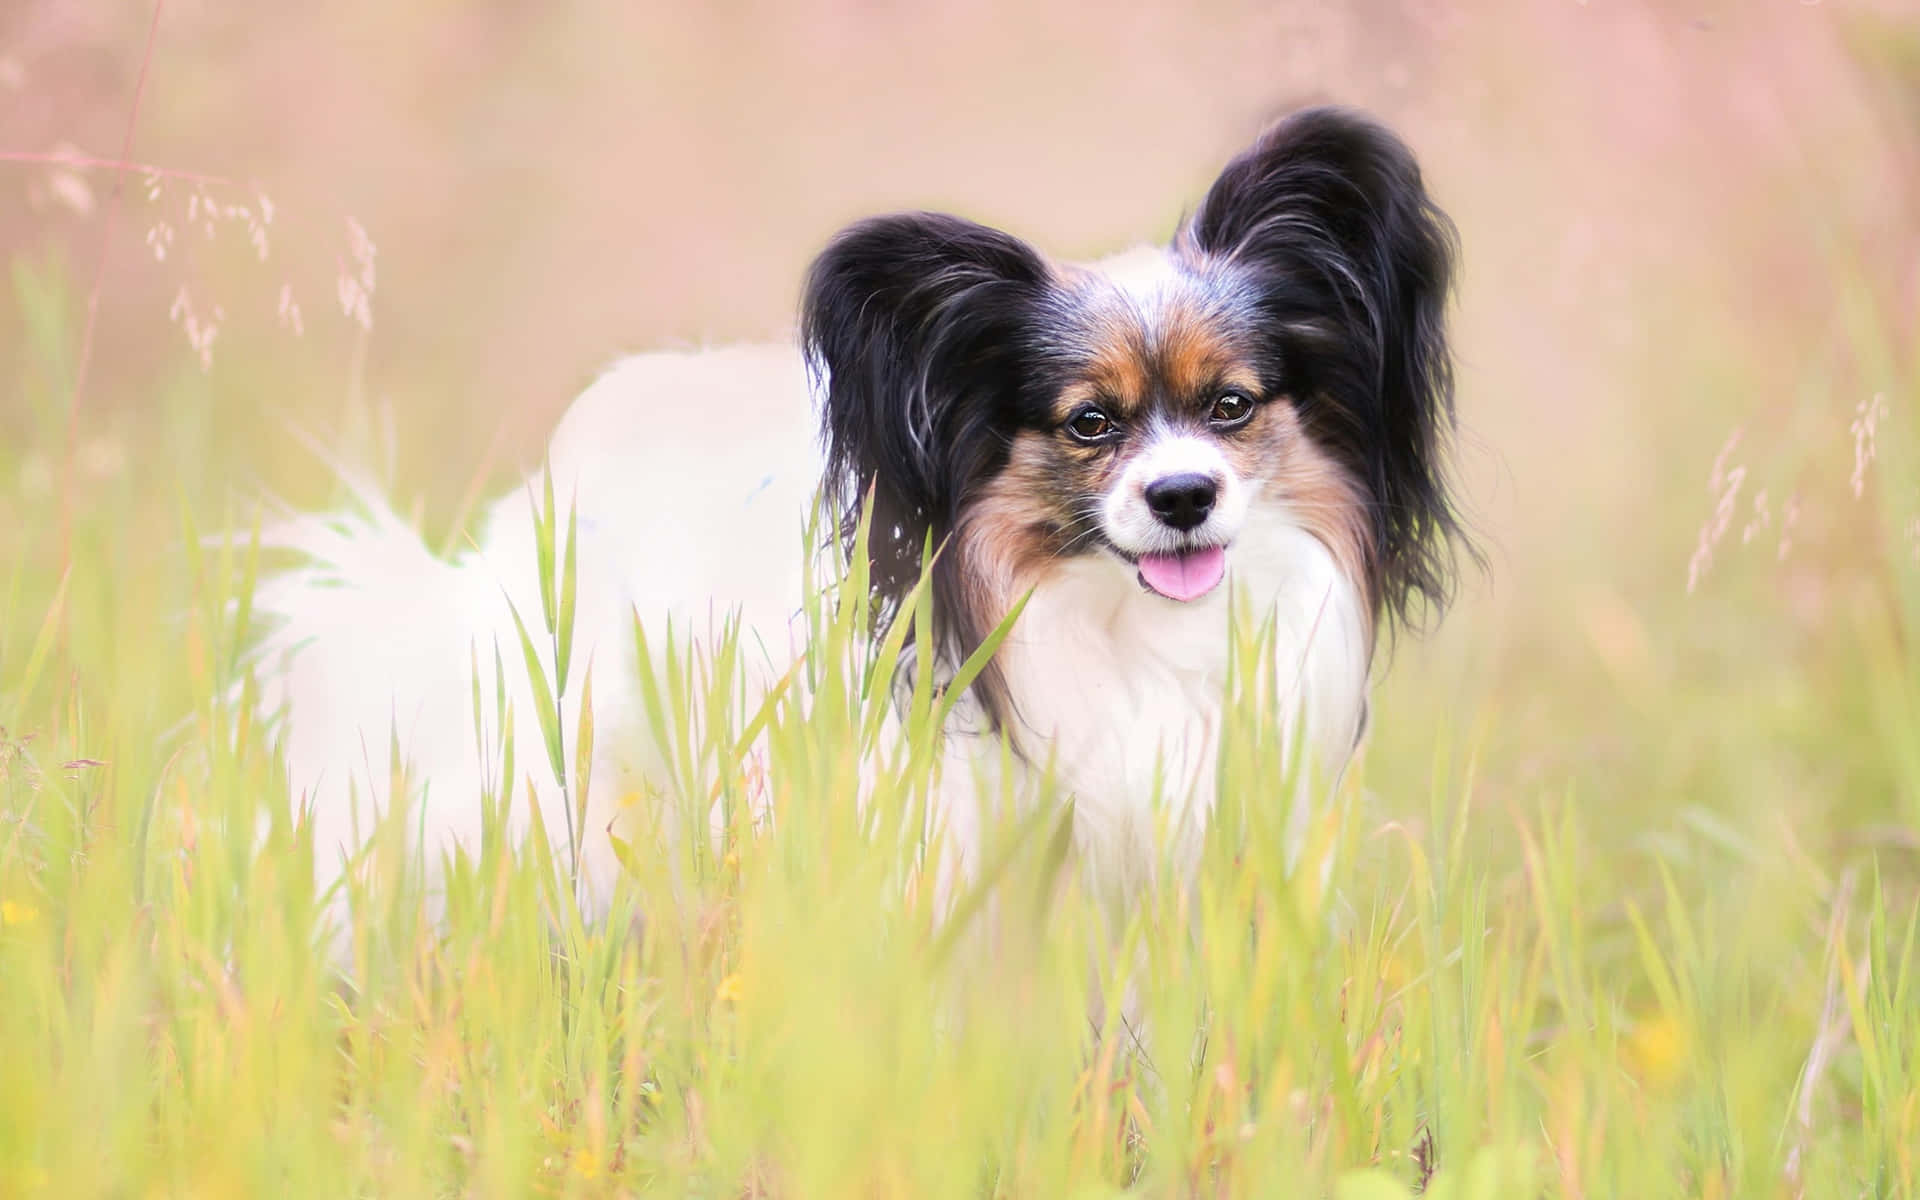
x=1289 y=347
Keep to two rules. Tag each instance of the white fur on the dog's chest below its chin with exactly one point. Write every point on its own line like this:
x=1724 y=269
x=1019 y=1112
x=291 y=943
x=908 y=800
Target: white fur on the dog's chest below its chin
x=1122 y=694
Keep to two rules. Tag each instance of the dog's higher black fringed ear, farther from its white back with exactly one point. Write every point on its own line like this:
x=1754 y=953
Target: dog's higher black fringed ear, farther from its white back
x=1355 y=266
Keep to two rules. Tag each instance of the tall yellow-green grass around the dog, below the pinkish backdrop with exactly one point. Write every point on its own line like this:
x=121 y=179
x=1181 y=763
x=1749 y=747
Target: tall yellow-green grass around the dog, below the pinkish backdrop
x=1595 y=924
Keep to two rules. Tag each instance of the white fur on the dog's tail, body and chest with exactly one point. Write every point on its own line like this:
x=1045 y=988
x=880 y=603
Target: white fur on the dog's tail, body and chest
x=694 y=475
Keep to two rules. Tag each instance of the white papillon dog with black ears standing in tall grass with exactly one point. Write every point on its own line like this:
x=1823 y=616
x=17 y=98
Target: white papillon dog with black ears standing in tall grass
x=1251 y=420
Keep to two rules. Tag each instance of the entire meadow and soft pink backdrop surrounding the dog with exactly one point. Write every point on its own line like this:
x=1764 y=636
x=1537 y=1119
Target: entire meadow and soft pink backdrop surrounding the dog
x=1621 y=900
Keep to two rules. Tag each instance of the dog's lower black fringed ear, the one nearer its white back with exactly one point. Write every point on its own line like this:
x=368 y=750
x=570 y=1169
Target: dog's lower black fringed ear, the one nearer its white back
x=917 y=329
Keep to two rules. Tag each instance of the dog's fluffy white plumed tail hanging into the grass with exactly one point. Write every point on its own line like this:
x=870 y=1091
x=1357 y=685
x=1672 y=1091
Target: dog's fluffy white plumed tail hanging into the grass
x=370 y=667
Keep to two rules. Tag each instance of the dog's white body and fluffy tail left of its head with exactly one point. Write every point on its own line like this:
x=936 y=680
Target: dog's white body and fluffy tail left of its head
x=690 y=479
